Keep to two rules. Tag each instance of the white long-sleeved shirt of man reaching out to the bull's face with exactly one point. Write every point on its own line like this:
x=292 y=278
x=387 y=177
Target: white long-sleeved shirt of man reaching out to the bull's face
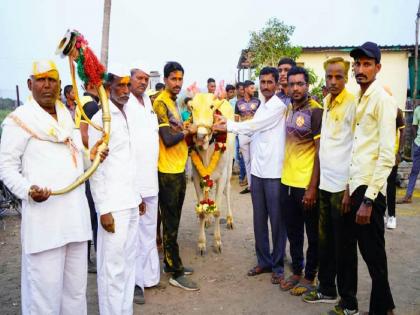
x=268 y=132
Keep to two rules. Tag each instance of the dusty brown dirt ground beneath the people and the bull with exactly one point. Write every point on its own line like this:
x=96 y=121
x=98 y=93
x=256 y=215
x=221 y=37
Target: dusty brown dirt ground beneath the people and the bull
x=225 y=288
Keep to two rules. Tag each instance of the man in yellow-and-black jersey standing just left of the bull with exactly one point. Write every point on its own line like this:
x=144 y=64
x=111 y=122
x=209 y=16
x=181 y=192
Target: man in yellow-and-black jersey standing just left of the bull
x=173 y=154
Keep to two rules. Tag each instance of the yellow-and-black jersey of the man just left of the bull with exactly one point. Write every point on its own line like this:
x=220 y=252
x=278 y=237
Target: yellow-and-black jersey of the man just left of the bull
x=172 y=159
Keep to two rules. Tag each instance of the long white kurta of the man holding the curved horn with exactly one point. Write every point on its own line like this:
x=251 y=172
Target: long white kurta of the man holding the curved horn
x=26 y=161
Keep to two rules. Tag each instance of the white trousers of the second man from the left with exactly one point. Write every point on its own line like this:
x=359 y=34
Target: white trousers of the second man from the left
x=116 y=258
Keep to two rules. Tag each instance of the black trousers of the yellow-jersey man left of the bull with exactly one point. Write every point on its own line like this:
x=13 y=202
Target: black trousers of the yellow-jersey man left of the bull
x=171 y=198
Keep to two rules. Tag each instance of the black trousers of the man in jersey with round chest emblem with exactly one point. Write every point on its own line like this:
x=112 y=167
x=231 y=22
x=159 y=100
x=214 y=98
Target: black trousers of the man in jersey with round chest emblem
x=296 y=220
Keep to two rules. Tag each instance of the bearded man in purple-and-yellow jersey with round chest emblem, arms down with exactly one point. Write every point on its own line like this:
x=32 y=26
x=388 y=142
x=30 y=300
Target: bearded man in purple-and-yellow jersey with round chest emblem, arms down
x=299 y=181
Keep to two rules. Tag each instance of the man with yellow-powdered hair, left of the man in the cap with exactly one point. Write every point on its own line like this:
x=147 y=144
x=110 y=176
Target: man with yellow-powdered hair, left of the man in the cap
x=335 y=220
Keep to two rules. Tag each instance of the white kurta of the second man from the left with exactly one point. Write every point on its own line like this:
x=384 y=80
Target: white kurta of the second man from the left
x=113 y=185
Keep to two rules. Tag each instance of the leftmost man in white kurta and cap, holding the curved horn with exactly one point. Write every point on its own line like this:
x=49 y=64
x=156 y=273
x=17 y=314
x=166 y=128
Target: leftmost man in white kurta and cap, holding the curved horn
x=40 y=150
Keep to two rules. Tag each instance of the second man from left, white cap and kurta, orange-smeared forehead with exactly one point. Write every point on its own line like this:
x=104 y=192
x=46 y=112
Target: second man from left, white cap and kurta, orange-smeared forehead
x=117 y=199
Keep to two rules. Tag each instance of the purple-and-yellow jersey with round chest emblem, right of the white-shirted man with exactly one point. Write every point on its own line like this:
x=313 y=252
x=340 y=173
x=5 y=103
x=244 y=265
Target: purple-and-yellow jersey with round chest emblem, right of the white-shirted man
x=303 y=127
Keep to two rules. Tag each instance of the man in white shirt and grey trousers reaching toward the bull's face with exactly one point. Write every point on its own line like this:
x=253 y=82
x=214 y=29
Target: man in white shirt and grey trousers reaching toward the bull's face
x=267 y=132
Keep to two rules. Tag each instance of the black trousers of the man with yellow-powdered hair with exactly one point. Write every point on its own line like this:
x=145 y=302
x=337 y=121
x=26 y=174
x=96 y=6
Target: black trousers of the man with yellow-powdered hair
x=337 y=251
